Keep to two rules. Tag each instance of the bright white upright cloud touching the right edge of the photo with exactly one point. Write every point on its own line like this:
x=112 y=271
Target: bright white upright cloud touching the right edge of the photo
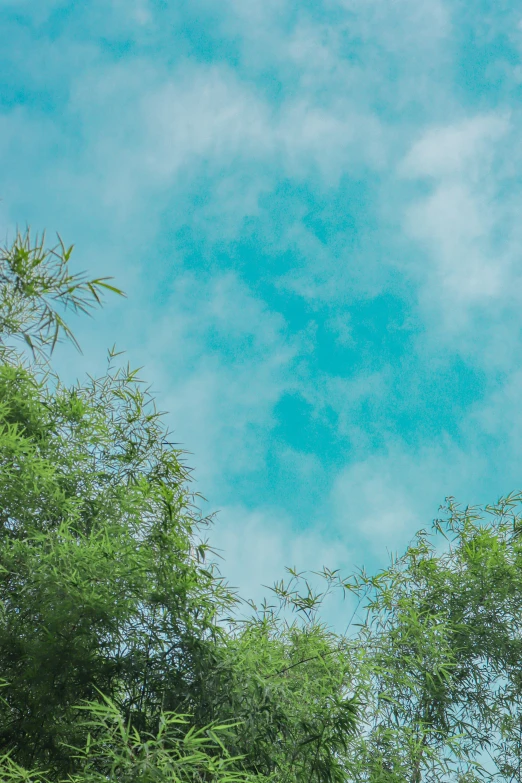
x=467 y=229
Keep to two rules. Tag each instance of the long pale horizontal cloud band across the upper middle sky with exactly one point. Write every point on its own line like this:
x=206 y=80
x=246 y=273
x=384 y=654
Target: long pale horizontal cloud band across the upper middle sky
x=206 y=116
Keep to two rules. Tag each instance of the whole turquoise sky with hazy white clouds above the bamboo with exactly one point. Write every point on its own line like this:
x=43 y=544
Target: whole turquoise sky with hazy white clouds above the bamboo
x=315 y=209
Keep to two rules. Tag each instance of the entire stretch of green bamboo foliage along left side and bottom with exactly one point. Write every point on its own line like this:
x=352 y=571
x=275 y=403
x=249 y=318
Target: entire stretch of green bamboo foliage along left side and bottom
x=123 y=654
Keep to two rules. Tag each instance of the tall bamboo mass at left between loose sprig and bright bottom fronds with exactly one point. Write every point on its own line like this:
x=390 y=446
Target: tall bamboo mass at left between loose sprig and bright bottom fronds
x=99 y=583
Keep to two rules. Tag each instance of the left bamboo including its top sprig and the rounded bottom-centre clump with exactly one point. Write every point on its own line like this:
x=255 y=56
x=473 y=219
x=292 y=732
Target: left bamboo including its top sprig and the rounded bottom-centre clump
x=109 y=595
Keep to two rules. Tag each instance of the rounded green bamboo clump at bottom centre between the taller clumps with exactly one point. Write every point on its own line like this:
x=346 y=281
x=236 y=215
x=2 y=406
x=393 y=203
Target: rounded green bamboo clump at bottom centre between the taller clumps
x=288 y=684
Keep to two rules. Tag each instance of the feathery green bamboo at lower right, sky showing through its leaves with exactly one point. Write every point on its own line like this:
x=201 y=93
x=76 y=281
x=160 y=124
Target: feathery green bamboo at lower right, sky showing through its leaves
x=441 y=649
